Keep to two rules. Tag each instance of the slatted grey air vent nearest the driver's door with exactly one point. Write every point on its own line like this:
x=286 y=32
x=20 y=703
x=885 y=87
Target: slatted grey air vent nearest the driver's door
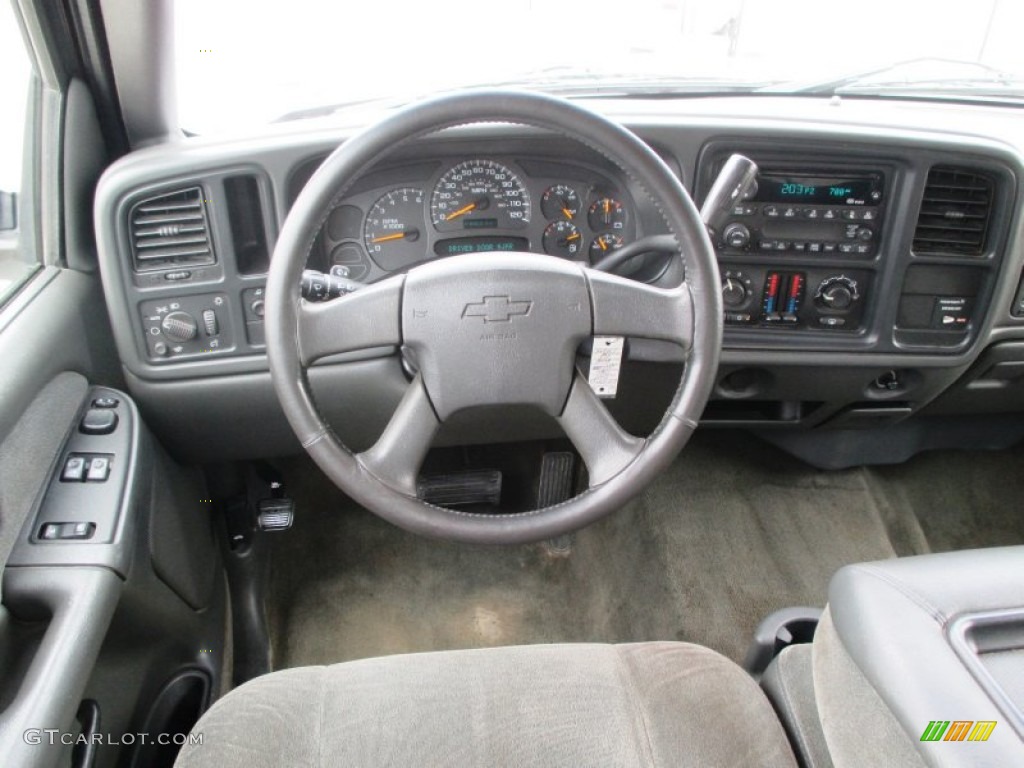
x=172 y=232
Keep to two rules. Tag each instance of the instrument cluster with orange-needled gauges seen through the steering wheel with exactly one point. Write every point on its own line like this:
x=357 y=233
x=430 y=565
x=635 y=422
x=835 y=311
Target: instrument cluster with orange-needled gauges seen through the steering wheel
x=481 y=205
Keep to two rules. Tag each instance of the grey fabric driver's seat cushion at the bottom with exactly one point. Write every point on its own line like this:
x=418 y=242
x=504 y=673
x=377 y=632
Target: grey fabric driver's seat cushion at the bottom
x=646 y=704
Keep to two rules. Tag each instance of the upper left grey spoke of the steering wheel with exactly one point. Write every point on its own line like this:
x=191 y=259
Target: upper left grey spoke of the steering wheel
x=369 y=318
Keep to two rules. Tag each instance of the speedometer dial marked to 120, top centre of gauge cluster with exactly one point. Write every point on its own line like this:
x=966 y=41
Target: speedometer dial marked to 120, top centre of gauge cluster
x=480 y=195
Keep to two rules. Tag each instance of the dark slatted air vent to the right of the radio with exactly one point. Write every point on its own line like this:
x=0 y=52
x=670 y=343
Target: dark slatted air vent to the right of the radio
x=955 y=214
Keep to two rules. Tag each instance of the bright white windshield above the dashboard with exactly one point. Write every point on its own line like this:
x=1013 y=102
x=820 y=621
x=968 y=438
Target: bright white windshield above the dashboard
x=241 y=64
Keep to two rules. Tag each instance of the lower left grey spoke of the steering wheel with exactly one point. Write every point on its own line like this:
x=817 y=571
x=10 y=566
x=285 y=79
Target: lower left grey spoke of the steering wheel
x=398 y=455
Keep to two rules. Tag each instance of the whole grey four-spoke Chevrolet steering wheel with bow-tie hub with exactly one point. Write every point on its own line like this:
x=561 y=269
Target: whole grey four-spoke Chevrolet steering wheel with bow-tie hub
x=493 y=329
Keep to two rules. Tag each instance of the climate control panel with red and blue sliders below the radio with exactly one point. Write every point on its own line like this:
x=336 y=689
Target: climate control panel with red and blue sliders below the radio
x=795 y=297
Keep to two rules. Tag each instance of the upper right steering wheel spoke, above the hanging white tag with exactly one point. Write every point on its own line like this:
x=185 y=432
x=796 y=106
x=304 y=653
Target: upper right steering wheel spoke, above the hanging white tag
x=625 y=308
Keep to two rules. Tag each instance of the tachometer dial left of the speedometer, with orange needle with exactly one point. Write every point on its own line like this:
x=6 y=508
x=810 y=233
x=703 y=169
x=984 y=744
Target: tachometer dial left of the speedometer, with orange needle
x=393 y=230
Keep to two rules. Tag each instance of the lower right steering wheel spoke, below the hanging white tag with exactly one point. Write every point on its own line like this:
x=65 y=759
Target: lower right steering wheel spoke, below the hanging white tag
x=607 y=448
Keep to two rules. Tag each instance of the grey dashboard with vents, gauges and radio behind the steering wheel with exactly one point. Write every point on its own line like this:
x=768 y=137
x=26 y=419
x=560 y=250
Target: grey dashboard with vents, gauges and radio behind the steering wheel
x=872 y=277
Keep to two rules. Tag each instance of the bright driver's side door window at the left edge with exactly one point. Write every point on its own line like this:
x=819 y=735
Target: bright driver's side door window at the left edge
x=18 y=261
